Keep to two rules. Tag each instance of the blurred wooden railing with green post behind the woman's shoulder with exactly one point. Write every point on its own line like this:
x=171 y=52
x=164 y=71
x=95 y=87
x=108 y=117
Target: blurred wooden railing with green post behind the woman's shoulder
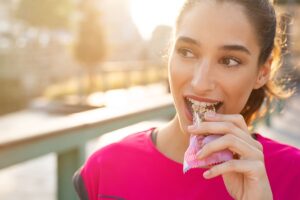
x=67 y=137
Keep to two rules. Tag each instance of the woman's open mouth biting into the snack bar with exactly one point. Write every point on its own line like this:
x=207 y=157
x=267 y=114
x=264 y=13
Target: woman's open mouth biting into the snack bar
x=202 y=107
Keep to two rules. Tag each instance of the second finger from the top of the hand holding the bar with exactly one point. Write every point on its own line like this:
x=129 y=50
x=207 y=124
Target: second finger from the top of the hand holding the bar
x=222 y=128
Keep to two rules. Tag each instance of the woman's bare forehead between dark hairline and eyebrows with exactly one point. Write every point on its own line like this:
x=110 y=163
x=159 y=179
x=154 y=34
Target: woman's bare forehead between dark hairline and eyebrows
x=217 y=24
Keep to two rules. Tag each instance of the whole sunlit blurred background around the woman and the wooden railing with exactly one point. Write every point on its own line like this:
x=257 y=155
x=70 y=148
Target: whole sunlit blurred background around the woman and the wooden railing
x=60 y=57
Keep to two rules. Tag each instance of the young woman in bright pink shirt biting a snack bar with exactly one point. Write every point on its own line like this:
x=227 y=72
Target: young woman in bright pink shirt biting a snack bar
x=224 y=52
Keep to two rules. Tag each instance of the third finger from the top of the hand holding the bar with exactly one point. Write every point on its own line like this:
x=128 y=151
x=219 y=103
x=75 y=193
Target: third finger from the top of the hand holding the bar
x=234 y=144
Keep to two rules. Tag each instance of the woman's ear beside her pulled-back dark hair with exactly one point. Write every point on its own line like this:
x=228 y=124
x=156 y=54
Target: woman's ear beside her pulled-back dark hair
x=263 y=74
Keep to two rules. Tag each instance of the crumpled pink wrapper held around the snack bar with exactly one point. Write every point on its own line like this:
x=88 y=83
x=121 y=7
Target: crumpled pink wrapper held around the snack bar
x=196 y=144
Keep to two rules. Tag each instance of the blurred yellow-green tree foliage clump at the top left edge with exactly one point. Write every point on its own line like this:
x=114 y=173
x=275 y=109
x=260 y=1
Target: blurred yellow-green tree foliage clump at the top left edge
x=53 y=14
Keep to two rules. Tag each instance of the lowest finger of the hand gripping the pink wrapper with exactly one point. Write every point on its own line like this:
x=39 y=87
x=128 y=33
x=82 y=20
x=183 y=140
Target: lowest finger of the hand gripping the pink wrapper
x=253 y=169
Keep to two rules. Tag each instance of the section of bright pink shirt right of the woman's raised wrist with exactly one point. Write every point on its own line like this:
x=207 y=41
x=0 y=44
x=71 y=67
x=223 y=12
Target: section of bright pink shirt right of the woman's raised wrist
x=282 y=163
